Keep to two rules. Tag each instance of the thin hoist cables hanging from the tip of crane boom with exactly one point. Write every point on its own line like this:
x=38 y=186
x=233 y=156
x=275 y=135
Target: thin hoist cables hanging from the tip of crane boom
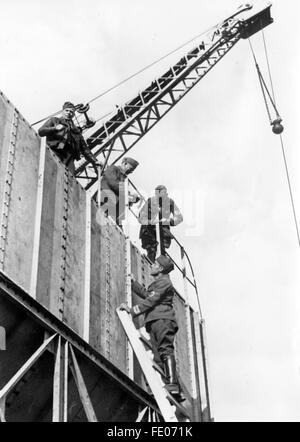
x=273 y=101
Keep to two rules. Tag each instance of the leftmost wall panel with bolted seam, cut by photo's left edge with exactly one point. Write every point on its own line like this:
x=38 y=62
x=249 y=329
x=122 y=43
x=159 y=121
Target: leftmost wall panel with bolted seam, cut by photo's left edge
x=20 y=150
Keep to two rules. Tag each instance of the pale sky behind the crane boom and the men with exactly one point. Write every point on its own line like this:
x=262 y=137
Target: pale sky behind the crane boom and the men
x=216 y=144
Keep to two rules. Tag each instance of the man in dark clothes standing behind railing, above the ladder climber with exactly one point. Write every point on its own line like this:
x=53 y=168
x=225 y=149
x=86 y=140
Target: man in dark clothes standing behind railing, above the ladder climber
x=162 y=210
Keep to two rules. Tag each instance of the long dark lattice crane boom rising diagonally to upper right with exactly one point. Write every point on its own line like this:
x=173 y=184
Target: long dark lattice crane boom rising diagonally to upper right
x=134 y=119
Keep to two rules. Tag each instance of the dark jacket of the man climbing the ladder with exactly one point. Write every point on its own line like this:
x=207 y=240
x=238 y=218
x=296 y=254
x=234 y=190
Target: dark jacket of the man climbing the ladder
x=158 y=302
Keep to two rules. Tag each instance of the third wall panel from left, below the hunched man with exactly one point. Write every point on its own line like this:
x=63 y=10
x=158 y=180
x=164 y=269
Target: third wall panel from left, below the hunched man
x=107 y=288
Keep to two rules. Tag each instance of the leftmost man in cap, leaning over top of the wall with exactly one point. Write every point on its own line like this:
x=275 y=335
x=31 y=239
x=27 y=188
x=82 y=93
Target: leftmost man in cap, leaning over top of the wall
x=65 y=139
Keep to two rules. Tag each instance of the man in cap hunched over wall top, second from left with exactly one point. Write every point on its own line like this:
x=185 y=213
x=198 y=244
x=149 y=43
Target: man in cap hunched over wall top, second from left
x=112 y=189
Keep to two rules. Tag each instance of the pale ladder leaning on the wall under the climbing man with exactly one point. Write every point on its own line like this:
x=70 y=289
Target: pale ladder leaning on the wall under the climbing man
x=170 y=409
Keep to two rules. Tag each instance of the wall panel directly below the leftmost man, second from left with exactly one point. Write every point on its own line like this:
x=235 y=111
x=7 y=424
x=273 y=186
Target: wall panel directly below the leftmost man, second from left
x=61 y=269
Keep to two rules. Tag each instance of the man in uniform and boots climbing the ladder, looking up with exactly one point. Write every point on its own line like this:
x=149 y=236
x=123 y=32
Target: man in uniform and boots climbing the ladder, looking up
x=160 y=319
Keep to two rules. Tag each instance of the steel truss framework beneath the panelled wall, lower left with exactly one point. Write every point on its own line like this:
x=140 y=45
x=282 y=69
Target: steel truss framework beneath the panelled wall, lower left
x=64 y=344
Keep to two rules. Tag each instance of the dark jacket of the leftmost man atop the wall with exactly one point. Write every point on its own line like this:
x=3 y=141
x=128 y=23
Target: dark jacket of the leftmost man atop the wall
x=74 y=141
